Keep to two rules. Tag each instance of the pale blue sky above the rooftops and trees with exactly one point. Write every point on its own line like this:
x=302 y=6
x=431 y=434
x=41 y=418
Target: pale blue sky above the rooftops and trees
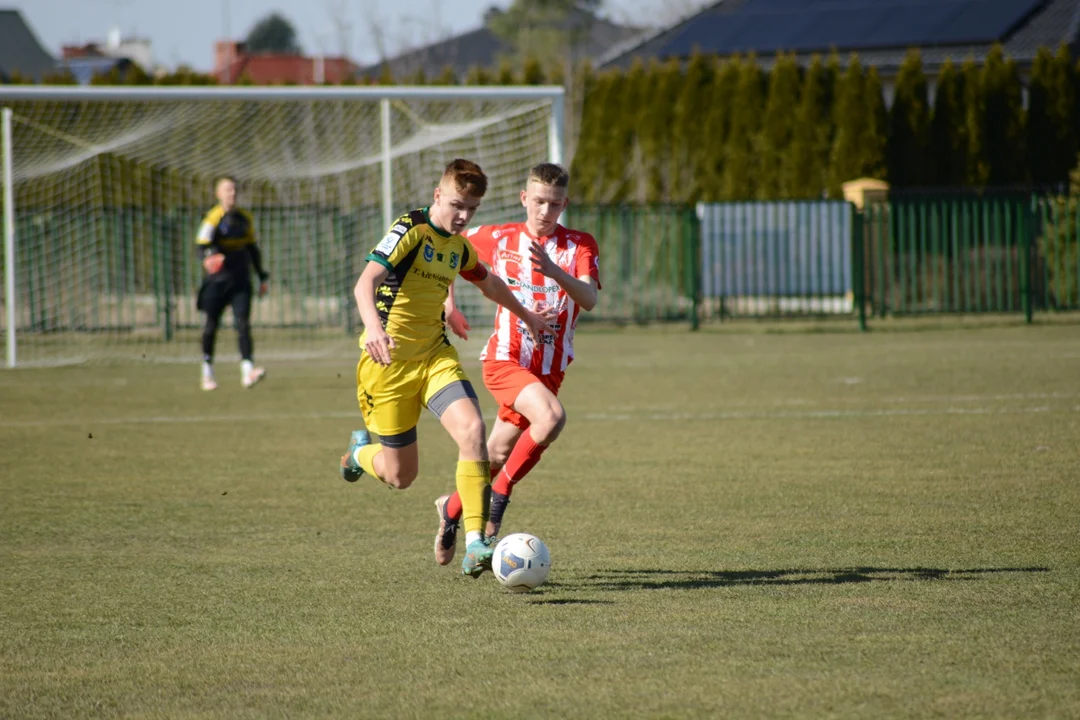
x=184 y=32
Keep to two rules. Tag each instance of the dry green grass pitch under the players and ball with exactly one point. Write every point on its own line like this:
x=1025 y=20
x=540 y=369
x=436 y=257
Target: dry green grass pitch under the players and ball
x=742 y=524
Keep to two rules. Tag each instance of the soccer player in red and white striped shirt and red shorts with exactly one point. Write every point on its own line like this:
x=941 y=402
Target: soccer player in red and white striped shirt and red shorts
x=548 y=267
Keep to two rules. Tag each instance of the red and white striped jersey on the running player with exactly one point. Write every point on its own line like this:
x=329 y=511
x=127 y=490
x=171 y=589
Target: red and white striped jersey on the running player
x=506 y=250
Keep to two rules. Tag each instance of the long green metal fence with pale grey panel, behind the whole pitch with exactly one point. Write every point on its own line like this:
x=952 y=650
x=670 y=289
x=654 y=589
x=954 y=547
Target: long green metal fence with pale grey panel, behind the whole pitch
x=133 y=270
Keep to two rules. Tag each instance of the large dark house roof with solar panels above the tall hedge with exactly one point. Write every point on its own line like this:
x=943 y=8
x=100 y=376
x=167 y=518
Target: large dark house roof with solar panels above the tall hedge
x=881 y=32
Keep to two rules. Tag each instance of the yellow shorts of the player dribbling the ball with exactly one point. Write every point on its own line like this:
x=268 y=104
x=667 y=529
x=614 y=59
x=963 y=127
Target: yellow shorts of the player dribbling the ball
x=391 y=398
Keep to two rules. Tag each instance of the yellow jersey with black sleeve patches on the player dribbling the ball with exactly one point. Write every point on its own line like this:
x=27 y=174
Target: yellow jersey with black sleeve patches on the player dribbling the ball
x=423 y=262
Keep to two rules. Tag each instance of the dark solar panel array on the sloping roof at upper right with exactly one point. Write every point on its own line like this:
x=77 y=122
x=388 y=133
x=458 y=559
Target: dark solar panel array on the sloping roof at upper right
x=767 y=26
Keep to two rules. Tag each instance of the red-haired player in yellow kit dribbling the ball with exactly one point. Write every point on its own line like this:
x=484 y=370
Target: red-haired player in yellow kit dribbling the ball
x=409 y=363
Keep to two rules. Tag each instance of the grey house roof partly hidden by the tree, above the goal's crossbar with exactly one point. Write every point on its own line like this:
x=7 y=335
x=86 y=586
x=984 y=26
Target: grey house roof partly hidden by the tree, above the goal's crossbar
x=482 y=48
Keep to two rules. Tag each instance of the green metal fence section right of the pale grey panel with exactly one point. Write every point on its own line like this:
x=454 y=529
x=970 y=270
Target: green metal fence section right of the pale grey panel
x=971 y=255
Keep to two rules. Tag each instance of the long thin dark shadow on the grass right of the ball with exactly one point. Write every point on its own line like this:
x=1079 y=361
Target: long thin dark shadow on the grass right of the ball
x=659 y=579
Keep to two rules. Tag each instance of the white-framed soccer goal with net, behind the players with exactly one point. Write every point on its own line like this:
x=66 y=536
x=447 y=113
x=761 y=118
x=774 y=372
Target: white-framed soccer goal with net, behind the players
x=110 y=187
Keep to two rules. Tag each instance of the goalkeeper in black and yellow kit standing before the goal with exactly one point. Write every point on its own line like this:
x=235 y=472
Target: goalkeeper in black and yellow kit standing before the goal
x=228 y=252
